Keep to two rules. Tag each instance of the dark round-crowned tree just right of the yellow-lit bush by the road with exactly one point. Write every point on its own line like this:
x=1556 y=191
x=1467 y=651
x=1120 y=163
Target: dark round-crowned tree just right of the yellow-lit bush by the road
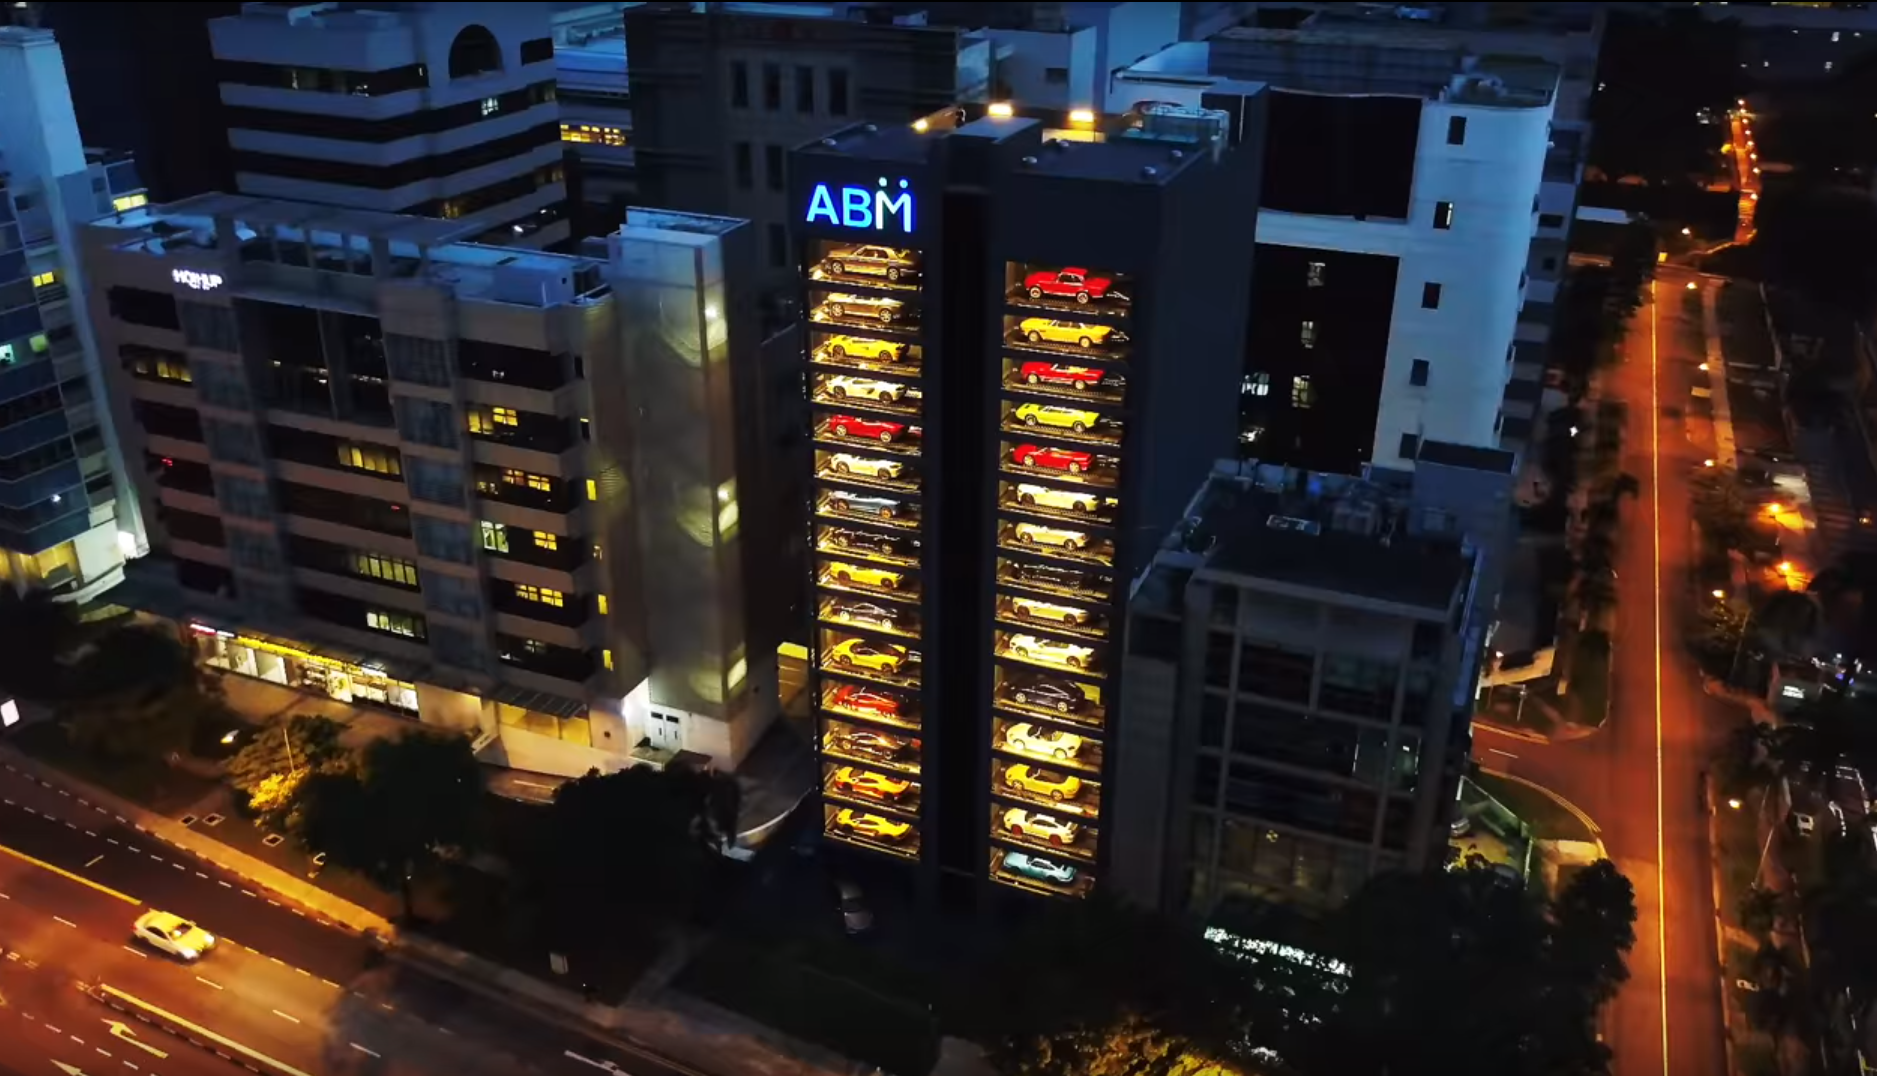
x=410 y=803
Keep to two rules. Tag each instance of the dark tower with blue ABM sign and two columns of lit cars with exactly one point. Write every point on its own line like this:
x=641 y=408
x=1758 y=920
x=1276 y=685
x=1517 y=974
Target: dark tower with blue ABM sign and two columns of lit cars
x=1024 y=341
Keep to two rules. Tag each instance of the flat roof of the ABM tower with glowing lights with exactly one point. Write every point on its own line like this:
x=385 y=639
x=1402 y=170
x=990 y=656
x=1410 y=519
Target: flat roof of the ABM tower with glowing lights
x=1135 y=147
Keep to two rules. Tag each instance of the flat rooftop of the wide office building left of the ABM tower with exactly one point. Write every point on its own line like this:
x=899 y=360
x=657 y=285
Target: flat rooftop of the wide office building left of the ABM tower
x=343 y=241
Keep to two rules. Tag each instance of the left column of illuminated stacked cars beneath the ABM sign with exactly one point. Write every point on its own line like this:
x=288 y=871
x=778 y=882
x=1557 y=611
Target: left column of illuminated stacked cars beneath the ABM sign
x=866 y=369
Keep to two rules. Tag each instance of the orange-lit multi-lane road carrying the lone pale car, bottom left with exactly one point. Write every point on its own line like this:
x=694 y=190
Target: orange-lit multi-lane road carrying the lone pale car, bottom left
x=282 y=994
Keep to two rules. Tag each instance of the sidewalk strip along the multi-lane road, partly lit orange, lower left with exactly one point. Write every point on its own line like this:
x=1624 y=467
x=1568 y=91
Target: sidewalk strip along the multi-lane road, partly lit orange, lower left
x=679 y=1030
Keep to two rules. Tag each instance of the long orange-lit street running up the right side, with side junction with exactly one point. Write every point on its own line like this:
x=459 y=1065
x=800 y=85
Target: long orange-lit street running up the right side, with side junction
x=1640 y=776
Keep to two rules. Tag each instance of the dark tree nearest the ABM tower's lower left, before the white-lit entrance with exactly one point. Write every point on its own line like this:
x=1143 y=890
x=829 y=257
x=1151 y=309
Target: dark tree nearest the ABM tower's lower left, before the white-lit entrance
x=664 y=837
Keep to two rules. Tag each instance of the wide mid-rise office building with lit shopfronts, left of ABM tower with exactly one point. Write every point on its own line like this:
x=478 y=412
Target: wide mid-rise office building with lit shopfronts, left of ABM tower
x=487 y=487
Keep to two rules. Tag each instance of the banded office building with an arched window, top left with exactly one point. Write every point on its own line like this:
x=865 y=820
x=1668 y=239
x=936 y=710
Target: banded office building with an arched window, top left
x=427 y=110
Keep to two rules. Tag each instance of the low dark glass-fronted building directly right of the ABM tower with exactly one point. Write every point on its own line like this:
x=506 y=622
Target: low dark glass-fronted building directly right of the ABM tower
x=1302 y=666
